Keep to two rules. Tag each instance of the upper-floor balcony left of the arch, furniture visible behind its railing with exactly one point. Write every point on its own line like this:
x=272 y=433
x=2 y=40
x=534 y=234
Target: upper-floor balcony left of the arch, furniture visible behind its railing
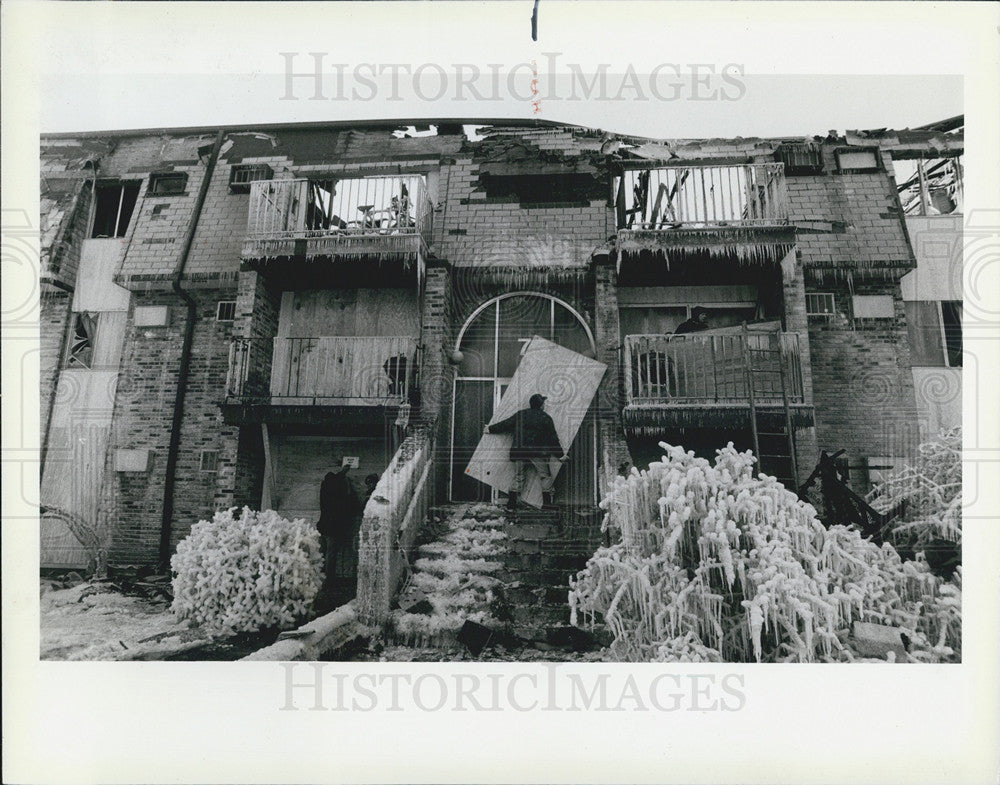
x=370 y=219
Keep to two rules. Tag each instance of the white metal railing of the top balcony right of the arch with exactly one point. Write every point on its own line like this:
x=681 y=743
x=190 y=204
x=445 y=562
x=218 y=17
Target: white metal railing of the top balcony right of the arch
x=674 y=197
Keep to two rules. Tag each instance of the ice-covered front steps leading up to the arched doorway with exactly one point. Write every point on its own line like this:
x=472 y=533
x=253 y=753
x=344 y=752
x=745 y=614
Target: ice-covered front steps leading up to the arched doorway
x=507 y=573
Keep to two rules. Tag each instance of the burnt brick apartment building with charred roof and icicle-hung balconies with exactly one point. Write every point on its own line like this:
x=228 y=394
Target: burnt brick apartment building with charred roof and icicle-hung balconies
x=225 y=312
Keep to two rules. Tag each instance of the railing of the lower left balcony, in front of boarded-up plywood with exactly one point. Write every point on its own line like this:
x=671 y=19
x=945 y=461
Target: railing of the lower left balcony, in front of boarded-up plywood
x=349 y=370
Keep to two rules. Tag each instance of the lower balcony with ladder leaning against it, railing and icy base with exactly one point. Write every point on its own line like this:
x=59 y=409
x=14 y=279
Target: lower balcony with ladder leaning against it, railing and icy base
x=703 y=380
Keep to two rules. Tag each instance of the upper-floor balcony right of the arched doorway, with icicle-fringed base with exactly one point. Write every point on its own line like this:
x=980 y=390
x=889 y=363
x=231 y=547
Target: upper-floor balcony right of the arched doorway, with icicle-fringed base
x=731 y=210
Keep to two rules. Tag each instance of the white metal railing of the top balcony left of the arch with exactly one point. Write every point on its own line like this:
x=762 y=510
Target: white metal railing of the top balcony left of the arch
x=325 y=207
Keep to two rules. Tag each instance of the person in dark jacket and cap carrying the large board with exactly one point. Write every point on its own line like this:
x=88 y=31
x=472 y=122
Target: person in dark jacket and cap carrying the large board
x=535 y=441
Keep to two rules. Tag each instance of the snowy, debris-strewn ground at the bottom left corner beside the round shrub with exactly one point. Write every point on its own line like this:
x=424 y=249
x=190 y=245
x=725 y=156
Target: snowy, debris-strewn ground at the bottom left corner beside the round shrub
x=94 y=622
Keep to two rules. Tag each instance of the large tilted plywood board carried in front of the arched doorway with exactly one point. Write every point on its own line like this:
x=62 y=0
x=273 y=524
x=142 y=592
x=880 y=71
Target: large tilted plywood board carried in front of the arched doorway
x=569 y=381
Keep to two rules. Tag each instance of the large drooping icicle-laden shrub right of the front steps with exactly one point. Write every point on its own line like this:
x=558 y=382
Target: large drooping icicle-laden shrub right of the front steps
x=713 y=563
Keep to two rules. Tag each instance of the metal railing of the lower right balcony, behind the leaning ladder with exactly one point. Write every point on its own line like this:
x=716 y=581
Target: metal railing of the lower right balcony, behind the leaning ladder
x=710 y=369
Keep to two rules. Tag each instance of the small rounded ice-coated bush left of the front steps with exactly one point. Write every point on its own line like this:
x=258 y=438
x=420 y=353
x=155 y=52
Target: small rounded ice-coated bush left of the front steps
x=247 y=572
